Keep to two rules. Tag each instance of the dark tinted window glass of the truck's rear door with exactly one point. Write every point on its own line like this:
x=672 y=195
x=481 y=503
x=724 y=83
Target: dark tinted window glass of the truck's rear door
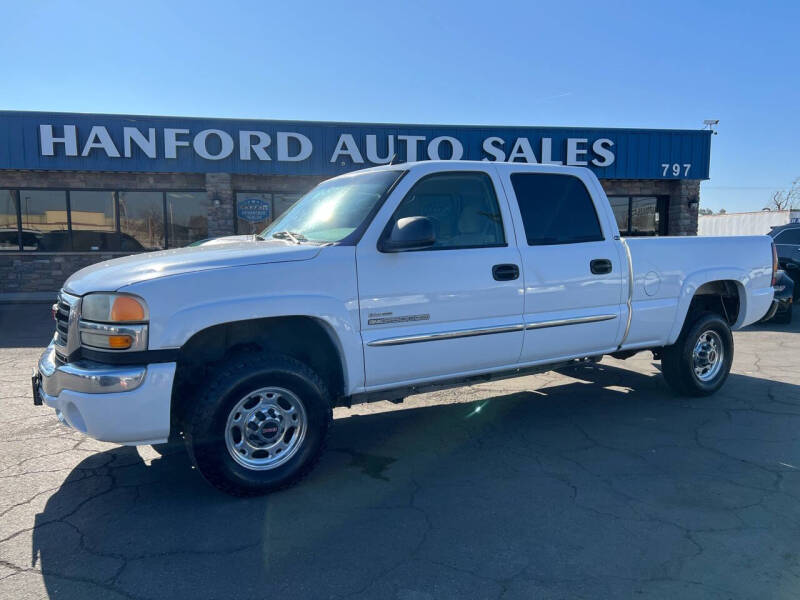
x=555 y=209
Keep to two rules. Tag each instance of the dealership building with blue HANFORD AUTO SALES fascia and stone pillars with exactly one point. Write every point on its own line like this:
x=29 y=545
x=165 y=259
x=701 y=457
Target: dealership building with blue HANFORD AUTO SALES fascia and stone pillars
x=76 y=189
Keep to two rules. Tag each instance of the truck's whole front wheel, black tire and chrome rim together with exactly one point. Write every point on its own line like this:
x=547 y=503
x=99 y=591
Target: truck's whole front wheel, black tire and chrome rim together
x=260 y=425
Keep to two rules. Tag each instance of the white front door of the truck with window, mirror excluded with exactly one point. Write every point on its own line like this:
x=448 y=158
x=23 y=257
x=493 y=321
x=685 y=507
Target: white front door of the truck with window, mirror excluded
x=452 y=308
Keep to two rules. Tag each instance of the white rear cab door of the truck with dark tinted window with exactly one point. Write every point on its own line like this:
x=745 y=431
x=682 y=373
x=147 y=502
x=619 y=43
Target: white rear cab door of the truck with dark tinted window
x=574 y=269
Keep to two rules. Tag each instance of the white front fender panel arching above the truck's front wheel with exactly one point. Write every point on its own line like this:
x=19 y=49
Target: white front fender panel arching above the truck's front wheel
x=323 y=289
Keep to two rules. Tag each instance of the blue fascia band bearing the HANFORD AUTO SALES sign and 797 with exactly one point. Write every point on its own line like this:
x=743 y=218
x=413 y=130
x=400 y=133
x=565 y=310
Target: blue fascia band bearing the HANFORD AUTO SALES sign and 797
x=82 y=142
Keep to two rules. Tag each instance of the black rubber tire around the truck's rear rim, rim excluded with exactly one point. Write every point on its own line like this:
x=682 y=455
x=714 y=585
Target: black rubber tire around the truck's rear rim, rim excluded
x=677 y=361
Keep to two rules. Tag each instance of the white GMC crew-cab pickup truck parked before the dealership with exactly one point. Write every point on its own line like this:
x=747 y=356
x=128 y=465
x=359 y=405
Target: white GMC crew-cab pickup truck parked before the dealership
x=376 y=285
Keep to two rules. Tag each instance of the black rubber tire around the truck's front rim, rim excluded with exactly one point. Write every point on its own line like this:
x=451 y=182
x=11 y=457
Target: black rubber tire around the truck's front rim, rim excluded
x=205 y=422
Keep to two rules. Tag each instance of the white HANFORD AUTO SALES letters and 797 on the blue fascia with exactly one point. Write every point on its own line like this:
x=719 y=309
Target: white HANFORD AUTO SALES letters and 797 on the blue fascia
x=290 y=146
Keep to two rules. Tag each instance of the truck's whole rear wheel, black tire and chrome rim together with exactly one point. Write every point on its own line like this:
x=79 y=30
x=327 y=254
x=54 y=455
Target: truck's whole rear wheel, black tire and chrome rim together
x=698 y=363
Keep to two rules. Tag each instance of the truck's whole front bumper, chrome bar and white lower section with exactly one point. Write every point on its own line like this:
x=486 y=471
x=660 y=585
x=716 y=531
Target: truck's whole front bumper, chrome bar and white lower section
x=127 y=405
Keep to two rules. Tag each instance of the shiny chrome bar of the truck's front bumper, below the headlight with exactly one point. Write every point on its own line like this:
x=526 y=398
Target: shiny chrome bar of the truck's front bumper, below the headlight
x=86 y=376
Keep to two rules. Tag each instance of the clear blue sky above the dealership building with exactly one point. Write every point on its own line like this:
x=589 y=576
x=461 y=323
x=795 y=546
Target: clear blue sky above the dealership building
x=637 y=64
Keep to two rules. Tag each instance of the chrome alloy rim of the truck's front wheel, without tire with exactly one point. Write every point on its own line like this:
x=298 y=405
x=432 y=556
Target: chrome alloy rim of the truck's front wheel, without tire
x=266 y=428
